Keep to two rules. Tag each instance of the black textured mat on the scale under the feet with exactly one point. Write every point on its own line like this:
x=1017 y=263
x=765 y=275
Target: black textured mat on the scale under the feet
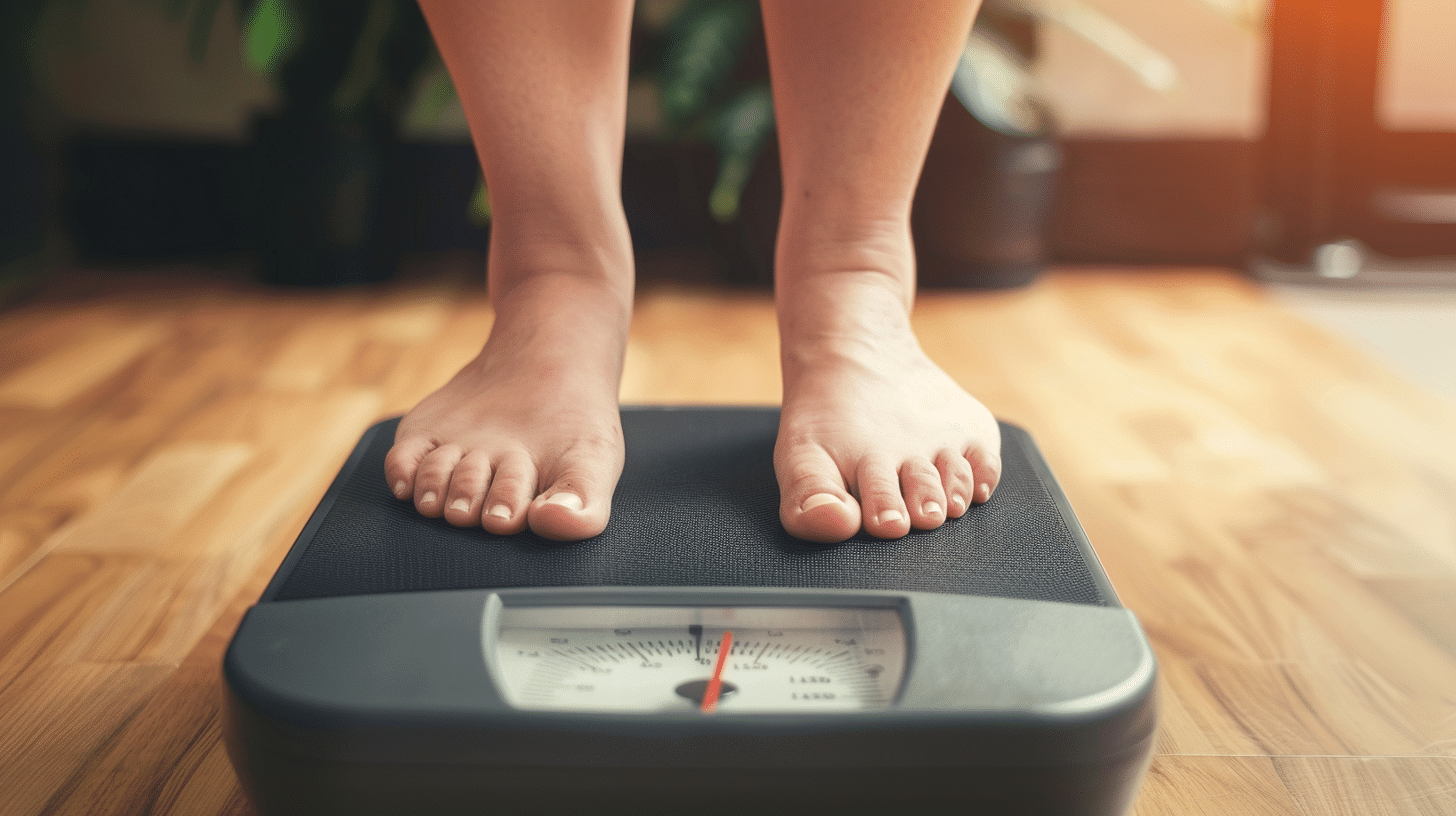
x=698 y=505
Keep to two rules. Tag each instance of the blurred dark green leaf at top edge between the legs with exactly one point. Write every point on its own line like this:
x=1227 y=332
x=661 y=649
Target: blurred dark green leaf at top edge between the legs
x=701 y=49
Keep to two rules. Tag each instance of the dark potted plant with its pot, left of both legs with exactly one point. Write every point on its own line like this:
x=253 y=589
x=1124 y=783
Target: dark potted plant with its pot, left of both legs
x=327 y=161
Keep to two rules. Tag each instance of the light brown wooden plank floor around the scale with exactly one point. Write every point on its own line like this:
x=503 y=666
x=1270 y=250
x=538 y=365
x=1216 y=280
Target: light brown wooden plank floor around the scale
x=1279 y=511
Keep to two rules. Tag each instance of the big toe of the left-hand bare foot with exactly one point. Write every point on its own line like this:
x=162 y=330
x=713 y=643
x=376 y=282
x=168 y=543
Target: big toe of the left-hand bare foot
x=579 y=501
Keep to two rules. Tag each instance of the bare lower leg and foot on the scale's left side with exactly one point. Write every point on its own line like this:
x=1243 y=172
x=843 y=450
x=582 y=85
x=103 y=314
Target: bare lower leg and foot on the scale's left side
x=529 y=433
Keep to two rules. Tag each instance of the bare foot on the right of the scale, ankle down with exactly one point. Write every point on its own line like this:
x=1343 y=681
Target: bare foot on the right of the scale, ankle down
x=873 y=433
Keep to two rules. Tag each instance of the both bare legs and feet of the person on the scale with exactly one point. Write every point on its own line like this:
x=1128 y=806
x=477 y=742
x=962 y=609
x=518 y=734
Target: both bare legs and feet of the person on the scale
x=873 y=435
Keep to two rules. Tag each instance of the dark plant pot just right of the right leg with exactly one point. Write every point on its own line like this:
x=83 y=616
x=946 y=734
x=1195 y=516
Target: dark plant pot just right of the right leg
x=984 y=205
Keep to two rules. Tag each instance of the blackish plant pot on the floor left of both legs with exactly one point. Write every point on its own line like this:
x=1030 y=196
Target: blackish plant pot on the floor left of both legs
x=324 y=202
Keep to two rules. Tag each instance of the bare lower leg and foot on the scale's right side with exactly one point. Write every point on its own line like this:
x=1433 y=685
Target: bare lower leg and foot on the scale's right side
x=874 y=435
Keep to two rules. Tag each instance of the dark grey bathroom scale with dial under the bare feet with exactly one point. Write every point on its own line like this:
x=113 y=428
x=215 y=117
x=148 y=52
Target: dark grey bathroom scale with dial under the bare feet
x=694 y=658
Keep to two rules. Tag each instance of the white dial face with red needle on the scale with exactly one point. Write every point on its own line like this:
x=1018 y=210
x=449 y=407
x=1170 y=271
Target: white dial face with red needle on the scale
x=668 y=658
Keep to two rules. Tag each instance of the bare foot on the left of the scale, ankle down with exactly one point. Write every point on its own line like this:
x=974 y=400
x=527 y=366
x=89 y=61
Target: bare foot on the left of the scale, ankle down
x=529 y=432
